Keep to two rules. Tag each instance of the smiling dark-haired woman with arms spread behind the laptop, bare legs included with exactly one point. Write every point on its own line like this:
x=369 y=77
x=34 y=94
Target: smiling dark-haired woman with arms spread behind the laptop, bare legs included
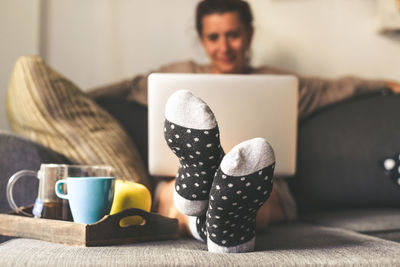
x=225 y=29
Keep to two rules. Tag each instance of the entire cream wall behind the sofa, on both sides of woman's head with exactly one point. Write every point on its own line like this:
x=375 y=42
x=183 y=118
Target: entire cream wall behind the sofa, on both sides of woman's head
x=94 y=42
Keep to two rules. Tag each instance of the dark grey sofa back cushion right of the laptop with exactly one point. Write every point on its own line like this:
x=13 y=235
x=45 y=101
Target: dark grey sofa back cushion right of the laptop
x=339 y=151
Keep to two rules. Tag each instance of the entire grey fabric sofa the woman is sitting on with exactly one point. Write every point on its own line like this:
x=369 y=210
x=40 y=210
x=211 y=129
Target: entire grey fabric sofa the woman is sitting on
x=348 y=207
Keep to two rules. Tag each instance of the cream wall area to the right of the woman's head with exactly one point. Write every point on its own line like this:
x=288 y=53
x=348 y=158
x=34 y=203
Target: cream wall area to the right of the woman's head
x=325 y=37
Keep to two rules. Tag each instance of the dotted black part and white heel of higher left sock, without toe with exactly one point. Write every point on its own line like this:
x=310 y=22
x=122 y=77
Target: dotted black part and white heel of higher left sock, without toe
x=199 y=153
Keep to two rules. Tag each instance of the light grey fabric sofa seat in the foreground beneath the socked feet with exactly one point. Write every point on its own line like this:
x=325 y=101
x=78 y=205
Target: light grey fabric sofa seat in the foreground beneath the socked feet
x=283 y=245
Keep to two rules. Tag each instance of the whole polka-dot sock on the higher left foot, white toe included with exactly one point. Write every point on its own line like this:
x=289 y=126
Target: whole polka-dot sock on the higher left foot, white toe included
x=192 y=134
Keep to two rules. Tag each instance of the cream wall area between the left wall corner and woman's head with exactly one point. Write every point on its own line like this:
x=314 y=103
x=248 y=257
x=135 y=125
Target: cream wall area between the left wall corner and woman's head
x=98 y=41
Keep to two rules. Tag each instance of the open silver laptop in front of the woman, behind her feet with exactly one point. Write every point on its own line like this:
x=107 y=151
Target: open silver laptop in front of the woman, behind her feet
x=245 y=107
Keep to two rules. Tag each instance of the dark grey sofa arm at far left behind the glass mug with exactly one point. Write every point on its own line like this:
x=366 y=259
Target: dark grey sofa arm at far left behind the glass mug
x=17 y=154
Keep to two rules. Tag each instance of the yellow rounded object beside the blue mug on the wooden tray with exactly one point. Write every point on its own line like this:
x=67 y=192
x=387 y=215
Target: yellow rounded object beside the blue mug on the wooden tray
x=130 y=195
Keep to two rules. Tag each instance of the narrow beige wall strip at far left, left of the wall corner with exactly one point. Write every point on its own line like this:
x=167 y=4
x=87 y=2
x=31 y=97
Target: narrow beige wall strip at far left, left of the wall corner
x=19 y=31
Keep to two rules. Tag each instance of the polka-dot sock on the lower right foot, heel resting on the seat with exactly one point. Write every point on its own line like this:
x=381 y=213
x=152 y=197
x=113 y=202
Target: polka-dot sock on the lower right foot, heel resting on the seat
x=241 y=186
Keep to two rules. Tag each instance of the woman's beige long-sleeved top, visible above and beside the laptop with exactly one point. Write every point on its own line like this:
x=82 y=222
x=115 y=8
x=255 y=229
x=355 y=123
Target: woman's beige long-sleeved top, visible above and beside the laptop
x=314 y=93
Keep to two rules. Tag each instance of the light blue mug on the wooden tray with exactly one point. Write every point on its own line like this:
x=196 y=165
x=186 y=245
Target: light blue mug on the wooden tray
x=90 y=198
